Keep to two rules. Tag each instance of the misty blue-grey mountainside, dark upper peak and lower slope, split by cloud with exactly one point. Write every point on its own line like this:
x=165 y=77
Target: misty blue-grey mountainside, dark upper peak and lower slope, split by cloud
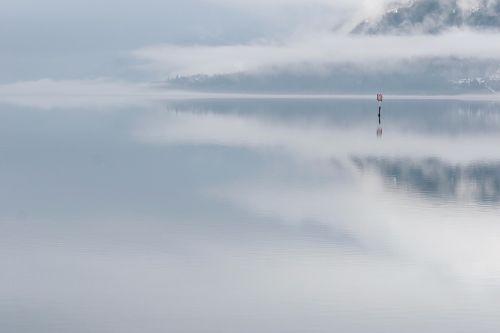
x=453 y=73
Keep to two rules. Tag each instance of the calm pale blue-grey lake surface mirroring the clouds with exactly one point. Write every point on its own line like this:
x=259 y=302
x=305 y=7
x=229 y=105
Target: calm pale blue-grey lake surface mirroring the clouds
x=249 y=216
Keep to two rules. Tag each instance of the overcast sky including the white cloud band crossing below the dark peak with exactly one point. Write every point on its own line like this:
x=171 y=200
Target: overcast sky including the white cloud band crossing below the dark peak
x=151 y=40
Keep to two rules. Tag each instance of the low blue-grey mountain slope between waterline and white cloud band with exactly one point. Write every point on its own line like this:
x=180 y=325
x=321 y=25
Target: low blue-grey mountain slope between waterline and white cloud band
x=418 y=76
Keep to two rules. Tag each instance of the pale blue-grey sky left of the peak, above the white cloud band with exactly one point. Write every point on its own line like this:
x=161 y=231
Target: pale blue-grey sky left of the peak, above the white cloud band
x=86 y=39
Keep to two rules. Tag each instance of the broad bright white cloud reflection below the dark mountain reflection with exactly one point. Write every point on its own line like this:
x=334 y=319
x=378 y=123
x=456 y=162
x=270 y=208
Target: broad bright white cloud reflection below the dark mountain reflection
x=460 y=243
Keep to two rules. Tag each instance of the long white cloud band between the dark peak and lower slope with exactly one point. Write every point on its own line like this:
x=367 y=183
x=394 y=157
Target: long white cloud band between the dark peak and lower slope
x=315 y=49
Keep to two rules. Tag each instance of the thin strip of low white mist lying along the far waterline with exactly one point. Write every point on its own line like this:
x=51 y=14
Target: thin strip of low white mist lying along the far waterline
x=100 y=94
